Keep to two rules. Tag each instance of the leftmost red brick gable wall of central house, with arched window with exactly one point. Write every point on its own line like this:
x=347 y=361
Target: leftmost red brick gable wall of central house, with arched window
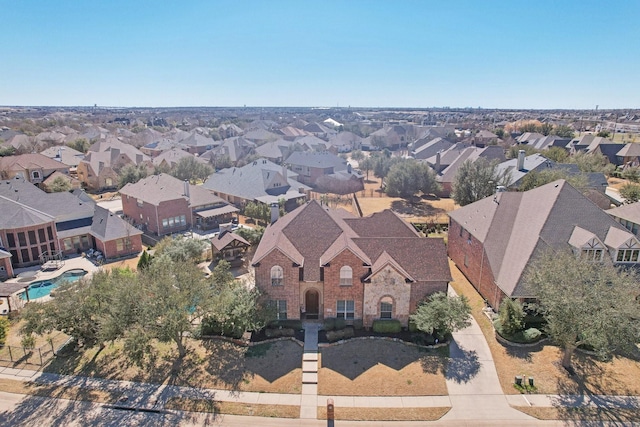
x=290 y=291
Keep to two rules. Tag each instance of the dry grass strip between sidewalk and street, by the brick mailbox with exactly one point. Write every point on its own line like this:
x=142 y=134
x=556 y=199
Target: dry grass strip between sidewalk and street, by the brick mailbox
x=385 y=414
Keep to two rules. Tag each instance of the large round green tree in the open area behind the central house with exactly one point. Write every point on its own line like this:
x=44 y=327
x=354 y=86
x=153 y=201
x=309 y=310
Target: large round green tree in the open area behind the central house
x=409 y=177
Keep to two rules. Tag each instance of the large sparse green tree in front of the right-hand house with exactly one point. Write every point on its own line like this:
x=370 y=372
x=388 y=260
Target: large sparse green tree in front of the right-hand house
x=586 y=303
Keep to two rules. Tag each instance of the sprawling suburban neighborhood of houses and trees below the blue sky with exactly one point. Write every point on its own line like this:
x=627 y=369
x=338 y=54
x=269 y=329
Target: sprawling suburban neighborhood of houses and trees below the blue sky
x=318 y=266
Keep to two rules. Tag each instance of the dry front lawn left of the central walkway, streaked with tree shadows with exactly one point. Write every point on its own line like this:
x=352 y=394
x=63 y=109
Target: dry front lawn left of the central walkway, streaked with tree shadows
x=271 y=368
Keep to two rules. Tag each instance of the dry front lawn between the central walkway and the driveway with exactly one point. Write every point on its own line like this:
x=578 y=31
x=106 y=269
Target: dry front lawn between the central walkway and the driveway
x=382 y=368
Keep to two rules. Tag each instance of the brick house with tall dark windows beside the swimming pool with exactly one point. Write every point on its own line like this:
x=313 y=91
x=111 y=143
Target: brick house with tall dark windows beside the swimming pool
x=35 y=225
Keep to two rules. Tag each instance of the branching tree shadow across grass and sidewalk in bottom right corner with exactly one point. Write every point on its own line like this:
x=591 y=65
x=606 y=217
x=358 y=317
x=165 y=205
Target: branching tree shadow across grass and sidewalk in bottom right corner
x=582 y=397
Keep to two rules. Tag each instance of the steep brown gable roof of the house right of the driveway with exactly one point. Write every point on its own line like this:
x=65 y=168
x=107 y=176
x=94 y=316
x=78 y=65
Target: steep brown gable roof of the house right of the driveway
x=514 y=226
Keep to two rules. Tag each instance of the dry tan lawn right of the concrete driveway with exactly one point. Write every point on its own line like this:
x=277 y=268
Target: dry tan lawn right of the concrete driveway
x=617 y=377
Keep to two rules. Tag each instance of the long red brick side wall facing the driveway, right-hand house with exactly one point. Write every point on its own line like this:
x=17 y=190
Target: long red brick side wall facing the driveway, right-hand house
x=476 y=266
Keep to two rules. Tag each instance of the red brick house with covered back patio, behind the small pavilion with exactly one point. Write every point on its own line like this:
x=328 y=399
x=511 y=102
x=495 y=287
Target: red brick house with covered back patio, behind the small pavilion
x=163 y=204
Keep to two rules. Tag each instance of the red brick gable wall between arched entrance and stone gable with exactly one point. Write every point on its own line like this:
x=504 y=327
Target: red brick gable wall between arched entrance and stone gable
x=334 y=292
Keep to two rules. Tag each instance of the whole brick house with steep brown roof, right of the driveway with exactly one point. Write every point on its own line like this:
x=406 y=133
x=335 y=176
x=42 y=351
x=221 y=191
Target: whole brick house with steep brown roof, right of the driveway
x=493 y=240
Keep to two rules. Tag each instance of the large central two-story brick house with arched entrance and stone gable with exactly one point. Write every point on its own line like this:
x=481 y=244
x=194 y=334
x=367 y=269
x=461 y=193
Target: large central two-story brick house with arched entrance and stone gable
x=317 y=262
